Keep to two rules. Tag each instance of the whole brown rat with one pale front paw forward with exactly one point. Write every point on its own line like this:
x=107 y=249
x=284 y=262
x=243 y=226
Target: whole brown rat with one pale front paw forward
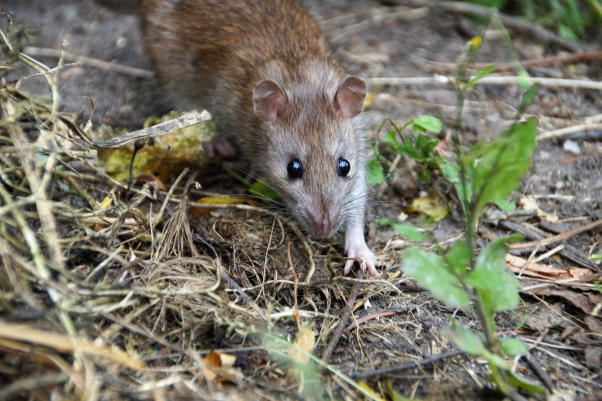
x=264 y=70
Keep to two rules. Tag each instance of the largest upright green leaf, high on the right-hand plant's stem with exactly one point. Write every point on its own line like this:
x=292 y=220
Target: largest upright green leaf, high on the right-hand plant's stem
x=495 y=169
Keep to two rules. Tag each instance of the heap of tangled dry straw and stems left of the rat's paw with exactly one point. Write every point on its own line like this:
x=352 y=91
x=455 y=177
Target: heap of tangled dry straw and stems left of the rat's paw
x=112 y=292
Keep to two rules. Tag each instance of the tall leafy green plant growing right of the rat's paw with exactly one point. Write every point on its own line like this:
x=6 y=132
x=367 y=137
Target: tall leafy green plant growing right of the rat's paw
x=484 y=174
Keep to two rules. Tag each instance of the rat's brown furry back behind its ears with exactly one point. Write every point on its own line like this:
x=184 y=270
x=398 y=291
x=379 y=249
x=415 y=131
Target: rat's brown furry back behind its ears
x=210 y=53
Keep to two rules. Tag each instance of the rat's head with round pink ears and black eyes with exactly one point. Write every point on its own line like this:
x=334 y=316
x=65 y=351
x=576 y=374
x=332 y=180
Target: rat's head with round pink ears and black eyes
x=314 y=150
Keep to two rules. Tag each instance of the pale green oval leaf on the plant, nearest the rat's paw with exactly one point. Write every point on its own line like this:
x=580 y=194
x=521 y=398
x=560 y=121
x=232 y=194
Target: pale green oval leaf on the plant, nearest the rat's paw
x=432 y=273
